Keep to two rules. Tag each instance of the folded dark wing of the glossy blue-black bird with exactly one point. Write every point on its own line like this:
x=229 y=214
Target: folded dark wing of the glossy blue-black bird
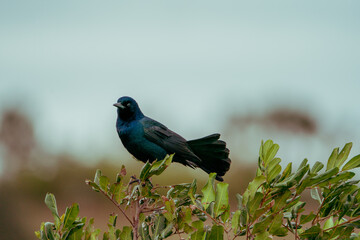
x=169 y=140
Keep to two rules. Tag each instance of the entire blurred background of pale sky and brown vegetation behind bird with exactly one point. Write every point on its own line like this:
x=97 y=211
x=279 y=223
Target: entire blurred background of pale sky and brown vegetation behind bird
x=250 y=70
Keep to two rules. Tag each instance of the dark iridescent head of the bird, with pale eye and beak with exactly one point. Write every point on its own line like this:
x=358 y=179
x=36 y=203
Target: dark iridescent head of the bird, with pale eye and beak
x=128 y=109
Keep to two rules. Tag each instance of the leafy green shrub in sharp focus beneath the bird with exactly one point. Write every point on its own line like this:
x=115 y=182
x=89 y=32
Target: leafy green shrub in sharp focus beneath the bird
x=270 y=206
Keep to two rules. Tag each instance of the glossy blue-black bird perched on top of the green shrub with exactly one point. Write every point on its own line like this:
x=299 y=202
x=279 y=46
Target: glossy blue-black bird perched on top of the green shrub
x=148 y=140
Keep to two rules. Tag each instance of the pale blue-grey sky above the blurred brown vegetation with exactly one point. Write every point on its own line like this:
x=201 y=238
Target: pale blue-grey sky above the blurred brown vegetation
x=189 y=64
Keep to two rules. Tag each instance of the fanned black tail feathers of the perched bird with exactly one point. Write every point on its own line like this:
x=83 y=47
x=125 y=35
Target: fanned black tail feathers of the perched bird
x=213 y=154
